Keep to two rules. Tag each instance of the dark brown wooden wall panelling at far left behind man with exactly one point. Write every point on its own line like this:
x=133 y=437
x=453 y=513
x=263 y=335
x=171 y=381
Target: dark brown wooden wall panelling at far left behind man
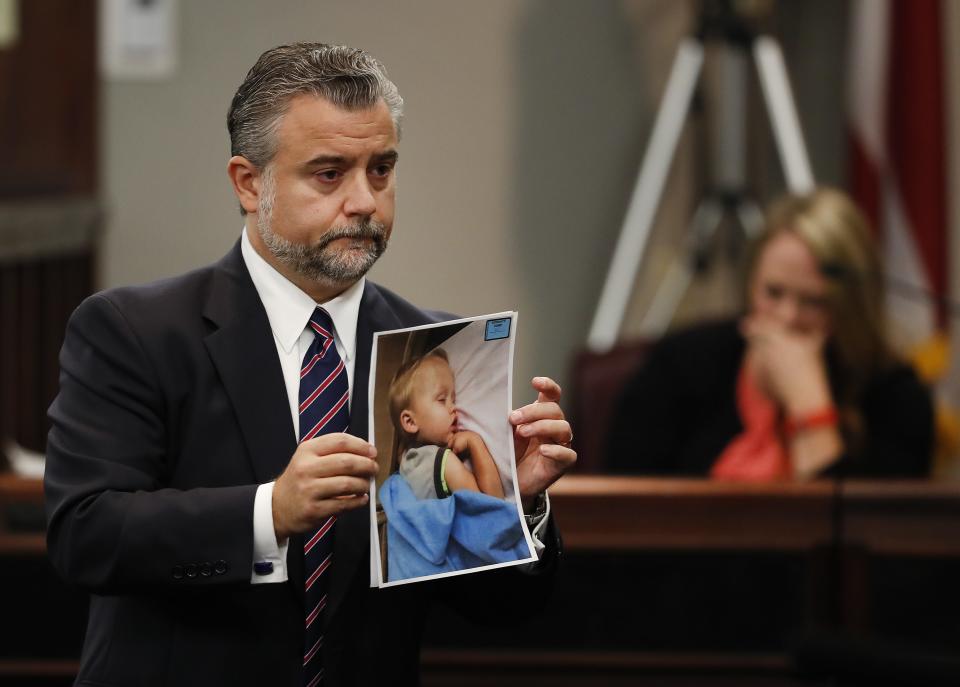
x=49 y=214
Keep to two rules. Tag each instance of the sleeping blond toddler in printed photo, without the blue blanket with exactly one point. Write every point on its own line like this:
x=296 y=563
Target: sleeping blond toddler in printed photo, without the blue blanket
x=424 y=413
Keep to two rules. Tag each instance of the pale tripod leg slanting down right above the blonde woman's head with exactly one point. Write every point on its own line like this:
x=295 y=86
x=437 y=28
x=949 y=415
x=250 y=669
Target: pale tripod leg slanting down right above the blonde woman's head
x=783 y=114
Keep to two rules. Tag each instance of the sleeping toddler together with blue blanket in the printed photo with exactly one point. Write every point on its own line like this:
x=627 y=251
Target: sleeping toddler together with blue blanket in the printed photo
x=444 y=499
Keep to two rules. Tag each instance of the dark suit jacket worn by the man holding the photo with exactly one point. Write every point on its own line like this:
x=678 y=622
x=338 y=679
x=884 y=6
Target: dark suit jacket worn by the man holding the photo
x=172 y=409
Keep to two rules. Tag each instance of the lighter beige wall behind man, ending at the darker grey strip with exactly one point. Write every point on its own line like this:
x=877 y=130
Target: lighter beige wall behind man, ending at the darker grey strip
x=165 y=144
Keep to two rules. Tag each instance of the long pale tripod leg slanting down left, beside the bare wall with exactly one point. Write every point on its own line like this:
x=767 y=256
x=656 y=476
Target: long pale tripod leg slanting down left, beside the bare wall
x=646 y=196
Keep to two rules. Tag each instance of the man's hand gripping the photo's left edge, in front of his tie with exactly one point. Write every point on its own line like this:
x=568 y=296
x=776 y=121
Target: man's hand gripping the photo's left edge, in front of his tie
x=326 y=476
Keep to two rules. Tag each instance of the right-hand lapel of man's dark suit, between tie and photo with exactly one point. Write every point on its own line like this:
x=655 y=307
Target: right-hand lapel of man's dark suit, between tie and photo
x=352 y=543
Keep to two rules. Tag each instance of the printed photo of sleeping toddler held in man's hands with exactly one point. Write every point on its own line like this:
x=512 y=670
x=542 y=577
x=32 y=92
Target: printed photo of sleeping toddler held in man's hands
x=445 y=495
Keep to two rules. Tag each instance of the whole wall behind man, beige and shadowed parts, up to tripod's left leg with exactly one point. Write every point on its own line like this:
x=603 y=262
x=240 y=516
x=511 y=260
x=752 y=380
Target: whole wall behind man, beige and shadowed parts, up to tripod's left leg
x=523 y=124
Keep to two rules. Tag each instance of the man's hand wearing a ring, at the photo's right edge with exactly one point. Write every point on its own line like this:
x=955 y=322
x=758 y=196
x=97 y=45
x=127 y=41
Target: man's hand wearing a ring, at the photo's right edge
x=541 y=439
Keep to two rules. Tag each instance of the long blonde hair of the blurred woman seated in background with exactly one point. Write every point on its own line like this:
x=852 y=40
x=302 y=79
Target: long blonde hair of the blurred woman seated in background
x=837 y=234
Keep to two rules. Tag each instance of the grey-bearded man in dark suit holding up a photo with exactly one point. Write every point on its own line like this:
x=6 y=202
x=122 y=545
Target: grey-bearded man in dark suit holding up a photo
x=177 y=491
